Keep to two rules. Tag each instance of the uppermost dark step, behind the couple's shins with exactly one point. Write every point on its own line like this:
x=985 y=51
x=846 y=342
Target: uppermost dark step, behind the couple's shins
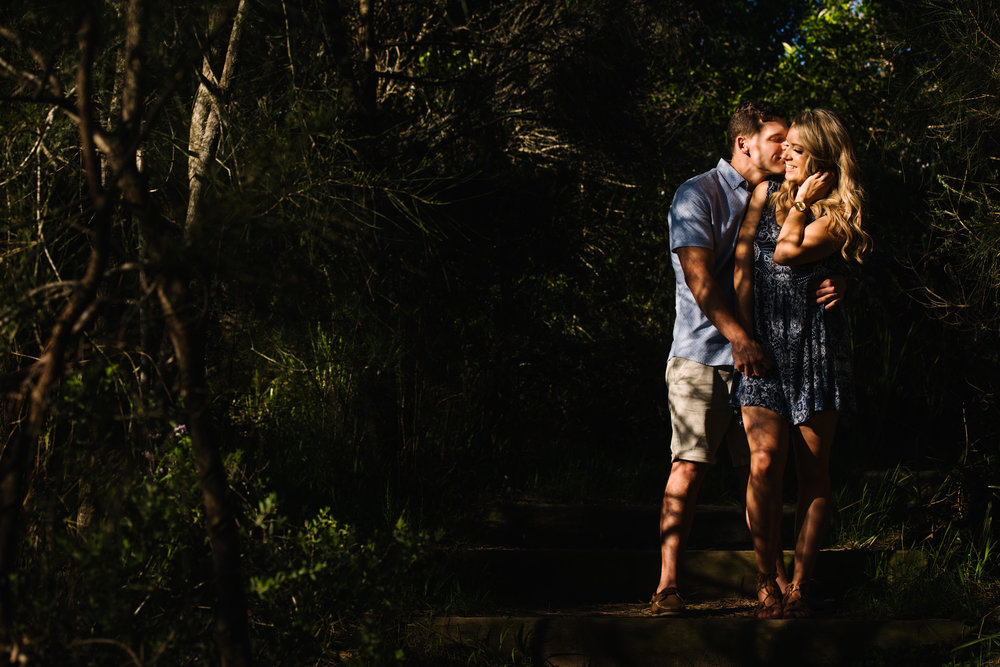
x=552 y=525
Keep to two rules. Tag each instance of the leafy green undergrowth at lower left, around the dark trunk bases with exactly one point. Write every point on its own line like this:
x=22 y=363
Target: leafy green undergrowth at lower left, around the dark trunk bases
x=118 y=570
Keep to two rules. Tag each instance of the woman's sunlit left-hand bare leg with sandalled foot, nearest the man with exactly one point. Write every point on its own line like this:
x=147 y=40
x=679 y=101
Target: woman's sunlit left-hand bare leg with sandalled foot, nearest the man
x=767 y=435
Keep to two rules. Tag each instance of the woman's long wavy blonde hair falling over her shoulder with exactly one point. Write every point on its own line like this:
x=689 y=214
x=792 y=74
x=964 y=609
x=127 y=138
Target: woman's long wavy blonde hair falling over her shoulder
x=828 y=147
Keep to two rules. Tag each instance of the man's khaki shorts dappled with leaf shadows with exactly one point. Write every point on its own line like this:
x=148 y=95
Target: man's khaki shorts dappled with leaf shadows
x=700 y=414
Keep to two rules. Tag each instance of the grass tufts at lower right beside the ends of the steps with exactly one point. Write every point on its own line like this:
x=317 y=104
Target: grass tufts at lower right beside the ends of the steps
x=939 y=560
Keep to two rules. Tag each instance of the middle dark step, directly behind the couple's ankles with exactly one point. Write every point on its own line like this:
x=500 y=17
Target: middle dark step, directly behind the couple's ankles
x=560 y=577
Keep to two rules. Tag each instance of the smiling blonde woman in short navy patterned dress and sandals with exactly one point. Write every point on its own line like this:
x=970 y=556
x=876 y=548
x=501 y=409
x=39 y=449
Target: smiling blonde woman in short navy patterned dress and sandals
x=794 y=234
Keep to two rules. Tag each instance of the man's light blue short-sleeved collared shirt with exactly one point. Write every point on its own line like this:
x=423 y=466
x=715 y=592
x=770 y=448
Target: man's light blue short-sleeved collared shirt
x=706 y=212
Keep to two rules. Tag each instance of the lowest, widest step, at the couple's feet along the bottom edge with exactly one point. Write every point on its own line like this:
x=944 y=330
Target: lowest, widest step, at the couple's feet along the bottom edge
x=637 y=639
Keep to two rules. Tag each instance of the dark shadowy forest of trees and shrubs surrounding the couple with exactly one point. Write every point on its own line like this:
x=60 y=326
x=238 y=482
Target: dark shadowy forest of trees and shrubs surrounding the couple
x=371 y=265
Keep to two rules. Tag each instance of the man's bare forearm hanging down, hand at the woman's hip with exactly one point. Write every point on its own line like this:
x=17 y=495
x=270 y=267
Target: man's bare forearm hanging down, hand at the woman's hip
x=748 y=356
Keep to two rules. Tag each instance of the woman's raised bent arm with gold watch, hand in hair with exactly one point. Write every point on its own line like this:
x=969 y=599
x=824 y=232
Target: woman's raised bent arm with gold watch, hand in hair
x=798 y=242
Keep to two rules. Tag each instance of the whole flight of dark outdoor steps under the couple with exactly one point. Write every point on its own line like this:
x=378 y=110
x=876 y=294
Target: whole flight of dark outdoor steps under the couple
x=569 y=585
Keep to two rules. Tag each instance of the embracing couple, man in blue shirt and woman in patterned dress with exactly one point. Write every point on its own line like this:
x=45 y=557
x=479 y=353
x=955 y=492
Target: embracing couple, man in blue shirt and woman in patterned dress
x=760 y=354
